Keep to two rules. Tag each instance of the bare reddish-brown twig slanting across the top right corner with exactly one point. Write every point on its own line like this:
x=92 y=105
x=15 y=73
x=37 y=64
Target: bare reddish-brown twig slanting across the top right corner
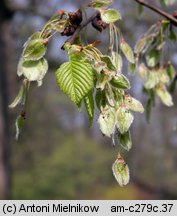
x=168 y=16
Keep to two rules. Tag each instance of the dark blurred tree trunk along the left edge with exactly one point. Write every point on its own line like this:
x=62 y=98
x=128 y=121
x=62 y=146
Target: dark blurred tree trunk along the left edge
x=5 y=15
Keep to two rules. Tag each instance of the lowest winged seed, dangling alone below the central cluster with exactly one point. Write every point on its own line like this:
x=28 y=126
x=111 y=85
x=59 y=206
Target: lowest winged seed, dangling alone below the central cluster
x=121 y=171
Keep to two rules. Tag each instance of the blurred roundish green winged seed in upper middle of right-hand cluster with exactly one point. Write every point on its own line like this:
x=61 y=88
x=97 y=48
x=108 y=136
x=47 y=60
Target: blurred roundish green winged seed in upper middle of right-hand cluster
x=152 y=58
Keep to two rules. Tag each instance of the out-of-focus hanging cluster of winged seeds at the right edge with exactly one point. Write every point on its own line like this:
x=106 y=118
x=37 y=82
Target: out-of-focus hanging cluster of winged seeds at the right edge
x=156 y=75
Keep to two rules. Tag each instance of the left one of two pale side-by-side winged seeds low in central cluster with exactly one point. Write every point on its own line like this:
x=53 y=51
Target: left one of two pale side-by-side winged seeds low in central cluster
x=107 y=121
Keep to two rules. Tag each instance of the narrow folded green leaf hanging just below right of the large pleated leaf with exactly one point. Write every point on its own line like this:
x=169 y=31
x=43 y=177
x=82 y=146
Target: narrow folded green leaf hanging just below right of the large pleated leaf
x=89 y=104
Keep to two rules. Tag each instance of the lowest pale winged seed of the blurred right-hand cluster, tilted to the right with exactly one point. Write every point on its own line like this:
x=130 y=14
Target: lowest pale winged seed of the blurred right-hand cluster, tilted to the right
x=164 y=95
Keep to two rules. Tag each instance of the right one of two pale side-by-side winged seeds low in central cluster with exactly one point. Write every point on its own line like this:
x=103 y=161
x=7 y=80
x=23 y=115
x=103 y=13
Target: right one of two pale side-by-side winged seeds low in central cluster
x=124 y=119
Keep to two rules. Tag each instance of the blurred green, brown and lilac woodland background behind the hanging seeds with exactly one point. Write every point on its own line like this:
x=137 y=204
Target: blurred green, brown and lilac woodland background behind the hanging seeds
x=58 y=156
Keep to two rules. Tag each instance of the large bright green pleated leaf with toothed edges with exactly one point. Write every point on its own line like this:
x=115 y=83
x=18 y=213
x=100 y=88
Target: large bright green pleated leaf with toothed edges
x=75 y=78
